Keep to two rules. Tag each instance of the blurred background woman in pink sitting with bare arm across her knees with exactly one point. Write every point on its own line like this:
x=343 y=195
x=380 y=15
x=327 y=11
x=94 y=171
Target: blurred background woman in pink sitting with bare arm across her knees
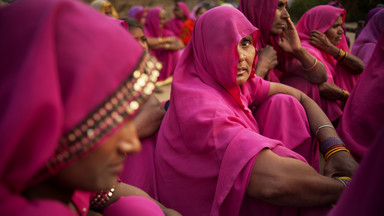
x=163 y=44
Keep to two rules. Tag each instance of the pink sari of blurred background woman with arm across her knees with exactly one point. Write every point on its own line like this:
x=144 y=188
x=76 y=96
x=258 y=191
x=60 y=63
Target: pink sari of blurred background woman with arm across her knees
x=168 y=58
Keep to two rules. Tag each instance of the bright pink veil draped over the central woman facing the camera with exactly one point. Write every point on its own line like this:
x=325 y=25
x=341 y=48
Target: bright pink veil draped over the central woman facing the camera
x=209 y=138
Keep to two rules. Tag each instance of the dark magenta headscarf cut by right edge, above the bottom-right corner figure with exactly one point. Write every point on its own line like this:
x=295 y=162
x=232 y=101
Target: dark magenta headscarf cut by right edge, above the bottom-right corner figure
x=363 y=114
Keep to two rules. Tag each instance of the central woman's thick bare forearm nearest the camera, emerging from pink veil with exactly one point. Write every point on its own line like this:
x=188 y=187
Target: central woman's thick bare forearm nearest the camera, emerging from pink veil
x=290 y=182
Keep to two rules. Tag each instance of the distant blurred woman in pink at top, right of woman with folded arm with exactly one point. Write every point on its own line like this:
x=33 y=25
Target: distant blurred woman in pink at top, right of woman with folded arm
x=181 y=13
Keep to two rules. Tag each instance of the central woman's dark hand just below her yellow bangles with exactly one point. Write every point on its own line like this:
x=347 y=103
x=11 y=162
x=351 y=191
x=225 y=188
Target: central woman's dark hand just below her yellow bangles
x=340 y=164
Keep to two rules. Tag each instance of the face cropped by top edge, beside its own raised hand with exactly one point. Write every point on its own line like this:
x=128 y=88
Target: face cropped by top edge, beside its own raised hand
x=280 y=22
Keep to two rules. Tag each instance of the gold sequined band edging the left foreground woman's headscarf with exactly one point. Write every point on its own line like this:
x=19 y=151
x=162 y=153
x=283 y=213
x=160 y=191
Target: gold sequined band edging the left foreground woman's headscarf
x=122 y=103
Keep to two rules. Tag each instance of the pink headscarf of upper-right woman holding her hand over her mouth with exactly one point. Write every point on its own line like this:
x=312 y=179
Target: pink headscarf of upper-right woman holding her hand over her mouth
x=322 y=18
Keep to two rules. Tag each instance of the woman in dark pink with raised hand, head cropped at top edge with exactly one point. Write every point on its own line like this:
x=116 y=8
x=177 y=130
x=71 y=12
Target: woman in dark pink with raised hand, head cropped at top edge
x=295 y=66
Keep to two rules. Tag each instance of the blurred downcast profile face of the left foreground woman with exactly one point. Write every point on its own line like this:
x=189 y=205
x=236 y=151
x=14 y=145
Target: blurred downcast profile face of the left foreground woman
x=100 y=169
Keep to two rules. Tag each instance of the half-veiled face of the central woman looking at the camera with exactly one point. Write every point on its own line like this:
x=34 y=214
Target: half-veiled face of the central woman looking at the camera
x=247 y=54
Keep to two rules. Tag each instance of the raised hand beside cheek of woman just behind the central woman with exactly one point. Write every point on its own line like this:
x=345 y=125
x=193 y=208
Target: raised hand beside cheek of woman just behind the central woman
x=289 y=39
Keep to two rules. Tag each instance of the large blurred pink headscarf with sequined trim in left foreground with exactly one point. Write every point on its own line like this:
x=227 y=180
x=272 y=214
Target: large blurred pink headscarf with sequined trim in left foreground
x=62 y=92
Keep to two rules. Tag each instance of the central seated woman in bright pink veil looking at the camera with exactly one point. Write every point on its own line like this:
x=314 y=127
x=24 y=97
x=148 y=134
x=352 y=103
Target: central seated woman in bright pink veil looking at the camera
x=211 y=158
